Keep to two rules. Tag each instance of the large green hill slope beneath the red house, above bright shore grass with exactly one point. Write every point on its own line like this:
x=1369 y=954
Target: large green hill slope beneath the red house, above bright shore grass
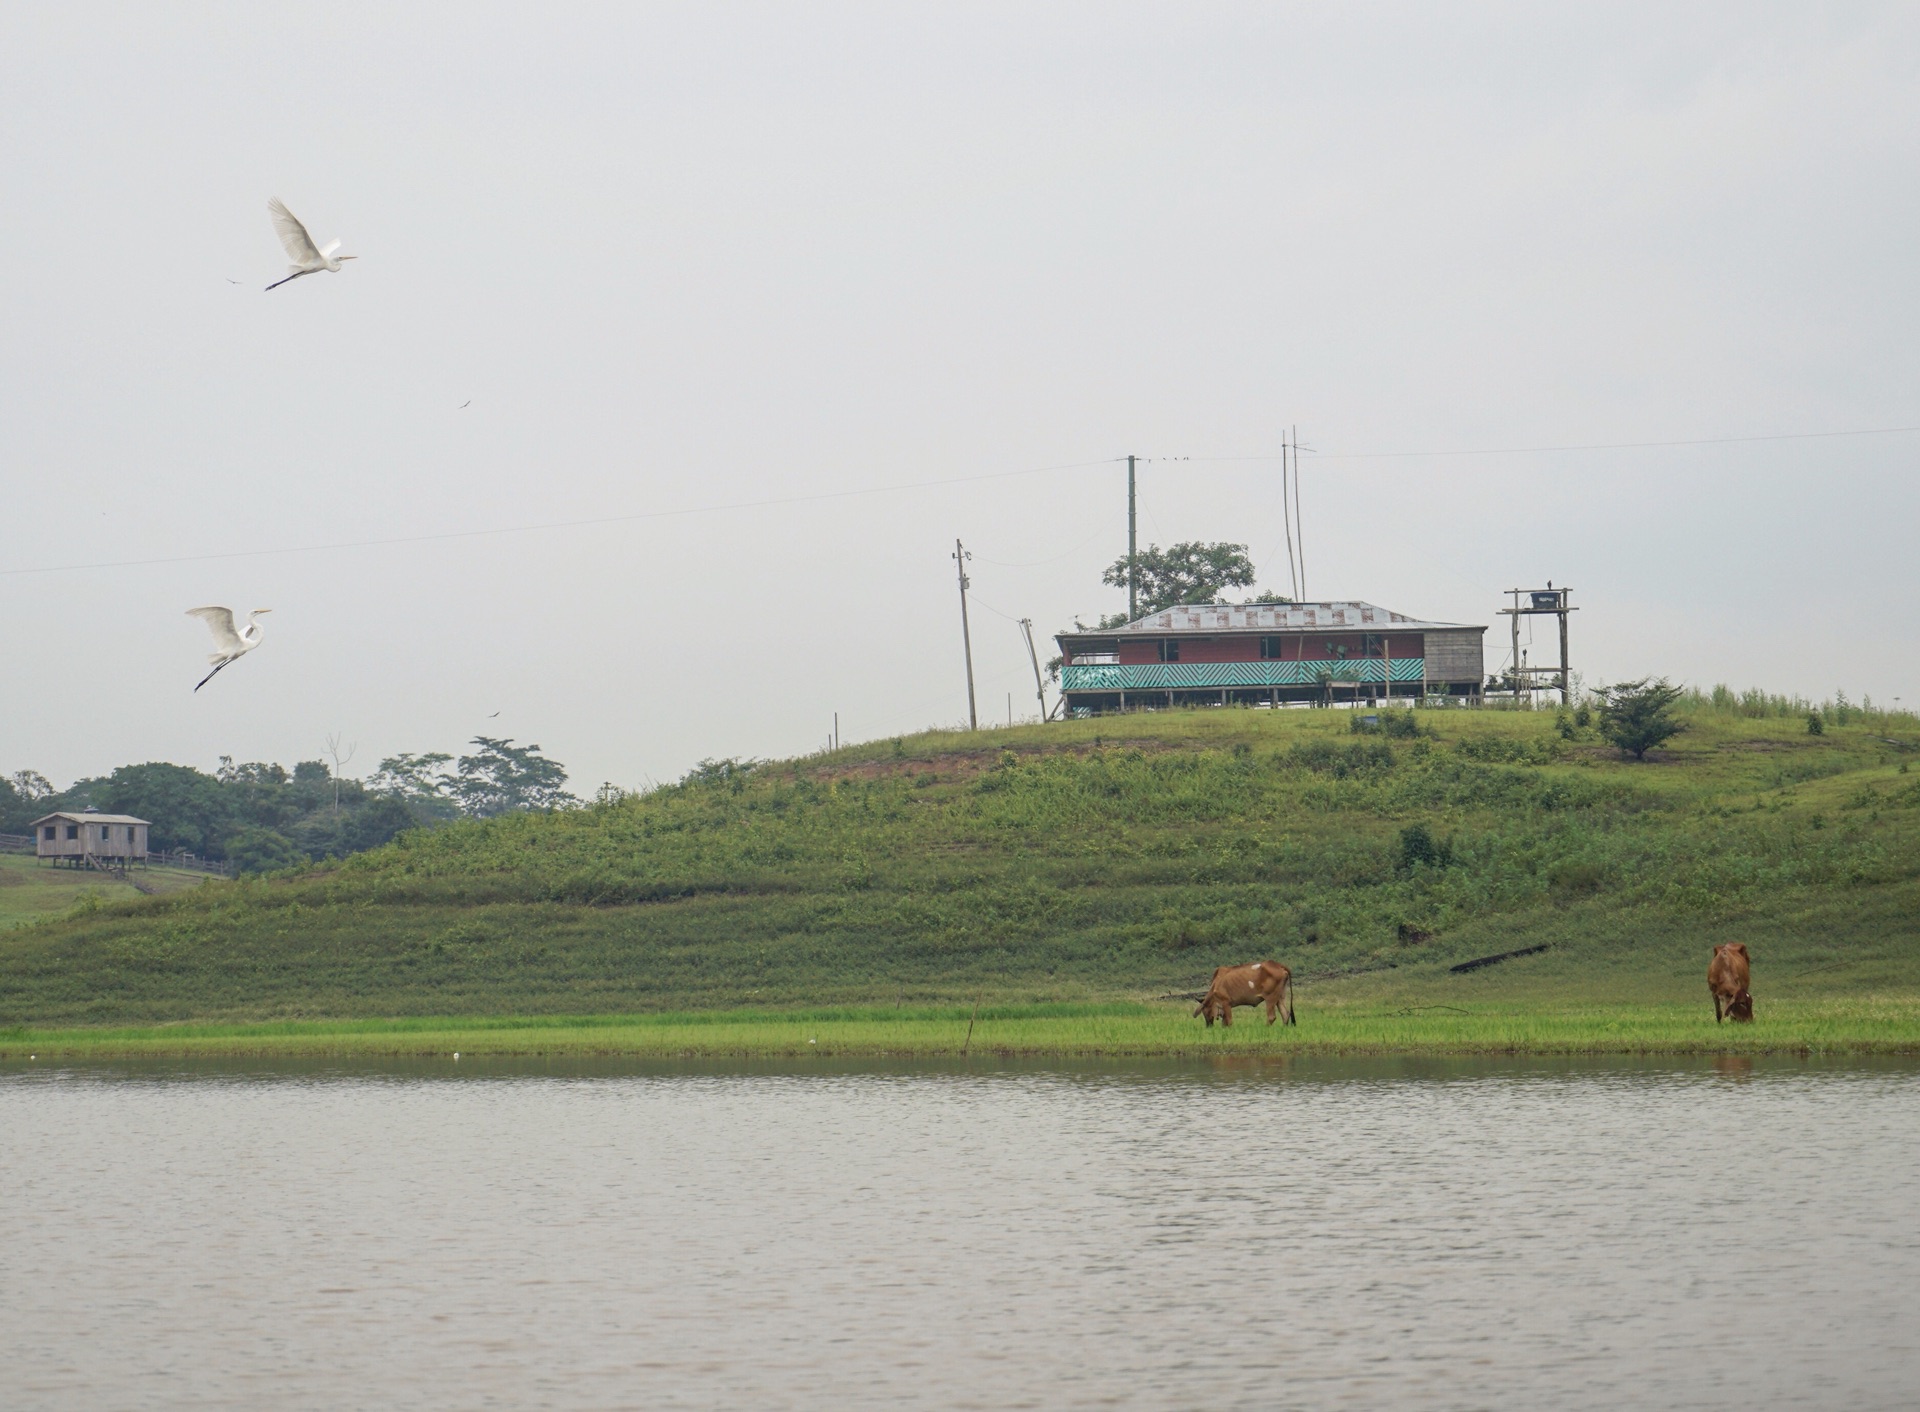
x=1078 y=862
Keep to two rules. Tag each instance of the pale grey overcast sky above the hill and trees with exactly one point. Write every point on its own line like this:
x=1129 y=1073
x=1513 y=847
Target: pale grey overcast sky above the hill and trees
x=734 y=256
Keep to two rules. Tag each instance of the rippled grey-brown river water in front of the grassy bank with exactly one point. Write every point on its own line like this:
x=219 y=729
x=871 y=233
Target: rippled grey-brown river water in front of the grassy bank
x=1335 y=1234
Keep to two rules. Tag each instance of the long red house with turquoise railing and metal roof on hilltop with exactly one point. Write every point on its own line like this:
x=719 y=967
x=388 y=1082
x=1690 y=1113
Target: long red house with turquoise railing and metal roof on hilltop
x=1268 y=654
